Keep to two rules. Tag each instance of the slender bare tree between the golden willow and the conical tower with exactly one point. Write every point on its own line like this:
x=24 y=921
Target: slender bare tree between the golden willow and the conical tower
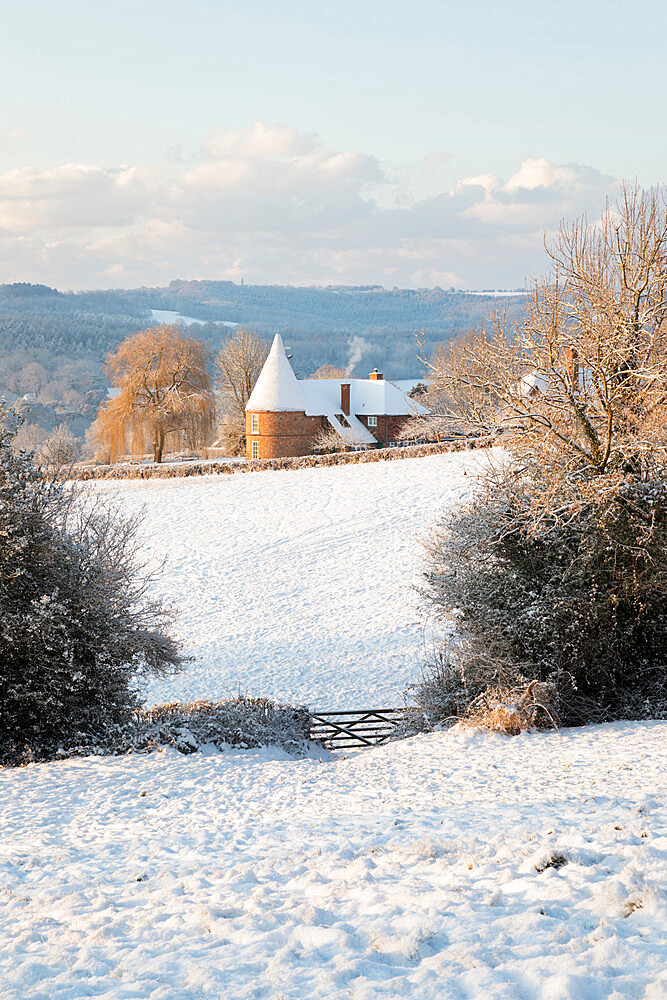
x=238 y=364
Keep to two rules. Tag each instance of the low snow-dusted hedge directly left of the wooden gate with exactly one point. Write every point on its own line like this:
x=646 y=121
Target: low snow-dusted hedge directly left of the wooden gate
x=238 y=722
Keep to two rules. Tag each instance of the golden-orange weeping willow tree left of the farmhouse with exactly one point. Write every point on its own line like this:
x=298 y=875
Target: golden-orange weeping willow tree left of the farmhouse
x=164 y=388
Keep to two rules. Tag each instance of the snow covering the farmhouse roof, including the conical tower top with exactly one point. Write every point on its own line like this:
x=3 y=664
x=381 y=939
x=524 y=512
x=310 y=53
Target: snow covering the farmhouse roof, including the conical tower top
x=278 y=389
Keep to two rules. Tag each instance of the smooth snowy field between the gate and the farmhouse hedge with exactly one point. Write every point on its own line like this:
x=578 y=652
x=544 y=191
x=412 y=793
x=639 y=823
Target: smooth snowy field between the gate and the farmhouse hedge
x=297 y=585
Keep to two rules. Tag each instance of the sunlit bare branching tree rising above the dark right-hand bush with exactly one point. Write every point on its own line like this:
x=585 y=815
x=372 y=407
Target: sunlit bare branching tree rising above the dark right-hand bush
x=584 y=374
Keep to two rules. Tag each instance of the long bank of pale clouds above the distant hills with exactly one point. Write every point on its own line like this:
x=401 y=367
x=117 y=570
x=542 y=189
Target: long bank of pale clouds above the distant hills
x=273 y=205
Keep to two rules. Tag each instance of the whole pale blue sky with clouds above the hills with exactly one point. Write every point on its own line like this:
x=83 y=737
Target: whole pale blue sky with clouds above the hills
x=405 y=144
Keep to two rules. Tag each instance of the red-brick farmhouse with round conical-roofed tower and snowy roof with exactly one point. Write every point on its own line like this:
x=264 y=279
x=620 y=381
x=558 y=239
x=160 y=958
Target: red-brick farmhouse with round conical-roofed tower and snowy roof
x=285 y=415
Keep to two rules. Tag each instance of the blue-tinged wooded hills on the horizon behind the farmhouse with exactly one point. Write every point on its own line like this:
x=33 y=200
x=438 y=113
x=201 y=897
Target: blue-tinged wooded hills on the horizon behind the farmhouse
x=53 y=344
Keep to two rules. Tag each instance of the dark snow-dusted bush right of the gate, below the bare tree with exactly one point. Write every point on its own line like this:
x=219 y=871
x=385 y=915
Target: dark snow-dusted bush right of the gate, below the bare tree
x=563 y=582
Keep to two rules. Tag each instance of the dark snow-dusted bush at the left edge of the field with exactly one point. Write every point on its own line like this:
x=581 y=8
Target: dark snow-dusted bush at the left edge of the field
x=77 y=627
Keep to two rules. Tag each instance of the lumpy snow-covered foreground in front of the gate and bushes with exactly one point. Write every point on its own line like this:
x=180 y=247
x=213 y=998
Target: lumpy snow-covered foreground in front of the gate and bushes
x=445 y=866
